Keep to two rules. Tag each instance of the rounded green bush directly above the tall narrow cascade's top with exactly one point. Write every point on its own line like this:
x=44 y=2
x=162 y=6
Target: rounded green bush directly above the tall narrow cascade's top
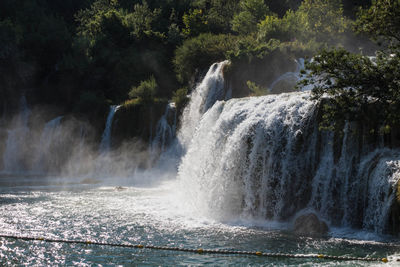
x=200 y=52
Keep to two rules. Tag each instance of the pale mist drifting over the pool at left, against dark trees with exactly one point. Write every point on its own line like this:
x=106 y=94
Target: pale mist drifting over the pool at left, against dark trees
x=66 y=146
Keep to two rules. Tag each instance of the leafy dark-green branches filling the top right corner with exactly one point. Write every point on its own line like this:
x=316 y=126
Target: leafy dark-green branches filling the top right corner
x=381 y=21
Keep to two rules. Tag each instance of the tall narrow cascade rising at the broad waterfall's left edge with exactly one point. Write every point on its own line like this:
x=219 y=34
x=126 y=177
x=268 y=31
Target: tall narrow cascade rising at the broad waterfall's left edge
x=202 y=98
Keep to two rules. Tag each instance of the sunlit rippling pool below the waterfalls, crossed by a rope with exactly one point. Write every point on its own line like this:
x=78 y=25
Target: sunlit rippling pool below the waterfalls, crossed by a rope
x=151 y=214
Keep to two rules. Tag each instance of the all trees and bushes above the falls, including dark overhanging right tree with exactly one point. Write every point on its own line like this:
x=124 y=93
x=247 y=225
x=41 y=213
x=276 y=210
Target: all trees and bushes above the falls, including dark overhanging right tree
x=85 y=55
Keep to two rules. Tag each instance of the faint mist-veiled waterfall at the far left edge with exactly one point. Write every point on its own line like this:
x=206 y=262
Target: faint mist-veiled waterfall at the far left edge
x=16 y=146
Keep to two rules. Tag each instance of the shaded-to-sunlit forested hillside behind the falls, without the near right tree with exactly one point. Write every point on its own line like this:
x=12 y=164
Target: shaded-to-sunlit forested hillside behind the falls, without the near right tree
x=104 y=48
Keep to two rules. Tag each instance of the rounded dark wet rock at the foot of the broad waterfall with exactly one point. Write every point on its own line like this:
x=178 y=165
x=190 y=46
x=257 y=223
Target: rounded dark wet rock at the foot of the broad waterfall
x=309 y=224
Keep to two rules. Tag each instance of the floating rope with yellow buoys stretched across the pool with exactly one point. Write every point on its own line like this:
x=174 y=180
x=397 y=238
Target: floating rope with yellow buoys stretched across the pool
x=198 y=250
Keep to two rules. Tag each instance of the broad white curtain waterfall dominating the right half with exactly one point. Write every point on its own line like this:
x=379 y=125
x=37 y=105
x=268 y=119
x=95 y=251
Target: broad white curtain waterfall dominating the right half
x=264 y=158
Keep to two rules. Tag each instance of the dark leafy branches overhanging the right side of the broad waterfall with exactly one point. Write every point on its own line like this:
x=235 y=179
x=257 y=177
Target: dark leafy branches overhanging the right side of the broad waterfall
x=355 y=83
